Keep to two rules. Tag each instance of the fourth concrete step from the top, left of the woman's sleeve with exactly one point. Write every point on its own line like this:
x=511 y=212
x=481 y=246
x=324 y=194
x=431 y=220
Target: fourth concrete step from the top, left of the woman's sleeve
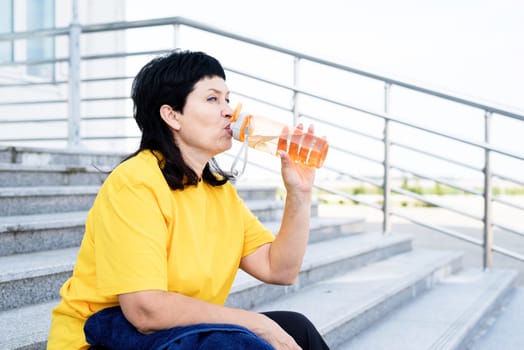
x=32 y=233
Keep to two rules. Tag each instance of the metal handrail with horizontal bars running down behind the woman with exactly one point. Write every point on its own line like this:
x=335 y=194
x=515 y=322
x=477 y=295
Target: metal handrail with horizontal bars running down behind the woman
x=387 y=139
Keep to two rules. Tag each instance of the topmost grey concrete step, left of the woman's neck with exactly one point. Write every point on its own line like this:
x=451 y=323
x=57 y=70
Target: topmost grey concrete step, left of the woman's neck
x=43 y=157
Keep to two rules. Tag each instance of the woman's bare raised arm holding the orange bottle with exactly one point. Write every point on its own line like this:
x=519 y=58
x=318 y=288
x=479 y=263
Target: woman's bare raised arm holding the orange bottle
x=279 y=262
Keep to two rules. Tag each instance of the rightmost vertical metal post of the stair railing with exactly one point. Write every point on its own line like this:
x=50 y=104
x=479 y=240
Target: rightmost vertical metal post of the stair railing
x=488 y=203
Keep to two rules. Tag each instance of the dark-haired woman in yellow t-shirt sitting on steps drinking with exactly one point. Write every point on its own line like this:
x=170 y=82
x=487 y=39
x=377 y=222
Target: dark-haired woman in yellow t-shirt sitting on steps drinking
x=167 y=231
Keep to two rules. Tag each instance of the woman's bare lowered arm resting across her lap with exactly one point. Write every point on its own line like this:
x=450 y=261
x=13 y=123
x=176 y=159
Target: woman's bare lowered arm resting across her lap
x=150 y=311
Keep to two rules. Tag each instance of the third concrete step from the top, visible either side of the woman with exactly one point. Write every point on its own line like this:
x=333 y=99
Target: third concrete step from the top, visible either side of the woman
x=52 y=199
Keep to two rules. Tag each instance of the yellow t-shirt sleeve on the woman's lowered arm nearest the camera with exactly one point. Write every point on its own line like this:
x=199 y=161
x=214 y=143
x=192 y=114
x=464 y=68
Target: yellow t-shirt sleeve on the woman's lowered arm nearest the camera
x=131 y=236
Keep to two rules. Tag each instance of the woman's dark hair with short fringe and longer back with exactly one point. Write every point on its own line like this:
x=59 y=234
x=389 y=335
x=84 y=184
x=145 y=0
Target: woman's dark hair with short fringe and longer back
x=169 y=79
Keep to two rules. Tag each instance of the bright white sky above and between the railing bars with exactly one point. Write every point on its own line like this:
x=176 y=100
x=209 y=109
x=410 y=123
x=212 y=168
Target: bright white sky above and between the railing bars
x=471 y=48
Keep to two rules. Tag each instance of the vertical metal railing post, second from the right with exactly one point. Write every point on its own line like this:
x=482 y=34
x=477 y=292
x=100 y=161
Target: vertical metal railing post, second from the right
x=386 y=224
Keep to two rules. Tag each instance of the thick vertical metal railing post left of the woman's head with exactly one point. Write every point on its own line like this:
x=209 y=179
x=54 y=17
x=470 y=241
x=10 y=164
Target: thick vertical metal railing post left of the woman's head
x=74 y=78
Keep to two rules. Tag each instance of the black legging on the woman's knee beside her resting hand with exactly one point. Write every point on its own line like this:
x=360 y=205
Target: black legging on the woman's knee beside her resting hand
x=300 y=328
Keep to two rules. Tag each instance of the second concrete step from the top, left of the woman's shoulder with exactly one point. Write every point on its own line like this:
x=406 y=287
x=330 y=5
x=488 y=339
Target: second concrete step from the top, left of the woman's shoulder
x=21 y=175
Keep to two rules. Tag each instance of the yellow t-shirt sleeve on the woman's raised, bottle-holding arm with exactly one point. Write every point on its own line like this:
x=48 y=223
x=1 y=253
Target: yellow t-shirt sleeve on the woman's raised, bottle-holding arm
x=255 y=233
